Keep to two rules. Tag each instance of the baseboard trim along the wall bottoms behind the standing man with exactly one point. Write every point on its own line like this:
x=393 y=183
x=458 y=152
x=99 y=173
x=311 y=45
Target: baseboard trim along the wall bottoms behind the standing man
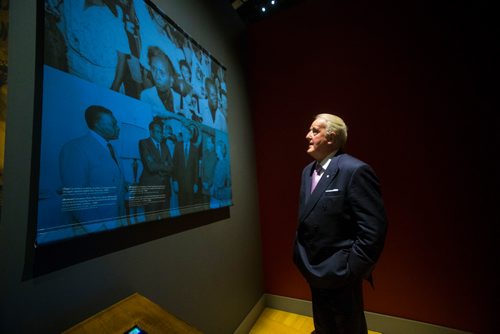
x=385 y=324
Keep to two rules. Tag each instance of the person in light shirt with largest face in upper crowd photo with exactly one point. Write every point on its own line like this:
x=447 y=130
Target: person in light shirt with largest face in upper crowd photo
x=161 y=96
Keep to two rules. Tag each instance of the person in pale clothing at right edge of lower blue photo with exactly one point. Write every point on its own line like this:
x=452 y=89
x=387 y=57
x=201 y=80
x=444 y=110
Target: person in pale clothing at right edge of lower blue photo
x=221 y=187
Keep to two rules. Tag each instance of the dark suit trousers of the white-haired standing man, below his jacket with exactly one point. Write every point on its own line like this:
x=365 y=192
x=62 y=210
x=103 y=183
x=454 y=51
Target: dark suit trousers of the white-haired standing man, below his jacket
x=339 y=311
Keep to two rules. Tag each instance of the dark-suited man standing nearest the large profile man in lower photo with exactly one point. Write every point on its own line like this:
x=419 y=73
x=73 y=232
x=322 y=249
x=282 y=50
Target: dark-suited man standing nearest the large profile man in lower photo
x=157 y=167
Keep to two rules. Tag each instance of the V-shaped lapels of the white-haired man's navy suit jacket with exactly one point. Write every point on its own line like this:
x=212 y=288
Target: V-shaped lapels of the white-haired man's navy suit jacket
x=328 y=176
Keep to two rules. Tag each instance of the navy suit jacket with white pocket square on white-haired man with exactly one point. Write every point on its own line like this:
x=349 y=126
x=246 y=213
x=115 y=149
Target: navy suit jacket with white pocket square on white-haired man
x=342 y=224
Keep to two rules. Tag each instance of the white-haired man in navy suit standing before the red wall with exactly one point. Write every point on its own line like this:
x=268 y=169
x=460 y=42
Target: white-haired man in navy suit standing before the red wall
x=341 y=229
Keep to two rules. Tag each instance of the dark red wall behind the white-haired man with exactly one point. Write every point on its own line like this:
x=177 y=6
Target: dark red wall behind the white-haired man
x=412 y=83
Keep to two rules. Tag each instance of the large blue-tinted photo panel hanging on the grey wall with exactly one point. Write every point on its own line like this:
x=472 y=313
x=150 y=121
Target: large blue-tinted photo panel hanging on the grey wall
x=133 y=120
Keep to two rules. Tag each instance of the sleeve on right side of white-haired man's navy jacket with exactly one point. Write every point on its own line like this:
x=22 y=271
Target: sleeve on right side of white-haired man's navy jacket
x=369 y=213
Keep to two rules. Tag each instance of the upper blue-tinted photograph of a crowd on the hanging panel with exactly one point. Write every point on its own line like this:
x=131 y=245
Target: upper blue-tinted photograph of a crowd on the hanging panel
x=129 y=47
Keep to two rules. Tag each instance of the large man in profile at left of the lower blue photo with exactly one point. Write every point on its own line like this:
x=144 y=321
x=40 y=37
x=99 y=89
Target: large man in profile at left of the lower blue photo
x=94 y=187
